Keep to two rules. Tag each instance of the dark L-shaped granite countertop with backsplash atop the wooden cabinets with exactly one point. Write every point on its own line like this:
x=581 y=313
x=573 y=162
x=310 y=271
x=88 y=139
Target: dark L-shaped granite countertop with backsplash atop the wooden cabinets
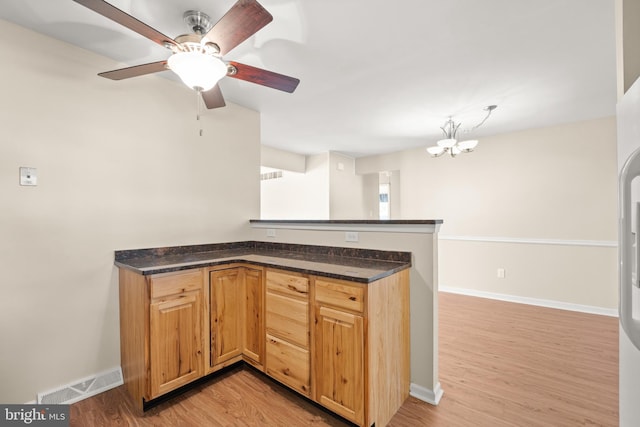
x=359 y=265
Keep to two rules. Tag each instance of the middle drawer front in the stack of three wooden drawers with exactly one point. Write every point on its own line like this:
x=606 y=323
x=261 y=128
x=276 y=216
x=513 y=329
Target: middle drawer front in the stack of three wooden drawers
x=288 y=318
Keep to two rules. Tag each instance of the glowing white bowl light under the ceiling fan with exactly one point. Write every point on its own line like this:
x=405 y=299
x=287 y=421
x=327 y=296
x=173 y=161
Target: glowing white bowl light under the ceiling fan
x=197 y=70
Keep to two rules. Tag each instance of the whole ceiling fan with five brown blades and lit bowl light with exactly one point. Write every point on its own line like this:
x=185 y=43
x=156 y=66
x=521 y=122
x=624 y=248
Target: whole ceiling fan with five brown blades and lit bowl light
x=197 y=57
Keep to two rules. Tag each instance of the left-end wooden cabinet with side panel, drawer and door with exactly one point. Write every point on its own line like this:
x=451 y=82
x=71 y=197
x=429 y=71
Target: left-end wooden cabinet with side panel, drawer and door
x=161 y=324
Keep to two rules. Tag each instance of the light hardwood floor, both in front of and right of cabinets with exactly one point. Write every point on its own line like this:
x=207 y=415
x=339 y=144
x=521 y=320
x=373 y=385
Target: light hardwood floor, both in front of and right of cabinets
x=501 y=364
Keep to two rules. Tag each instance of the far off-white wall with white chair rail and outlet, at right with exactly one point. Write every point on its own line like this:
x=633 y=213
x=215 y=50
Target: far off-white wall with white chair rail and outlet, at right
x=555 y=185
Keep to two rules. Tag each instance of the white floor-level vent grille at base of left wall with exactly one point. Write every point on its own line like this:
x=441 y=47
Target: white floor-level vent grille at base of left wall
x=83 y=388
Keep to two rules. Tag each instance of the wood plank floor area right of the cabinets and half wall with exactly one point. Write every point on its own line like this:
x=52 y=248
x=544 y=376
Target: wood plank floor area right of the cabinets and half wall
x=507 y=364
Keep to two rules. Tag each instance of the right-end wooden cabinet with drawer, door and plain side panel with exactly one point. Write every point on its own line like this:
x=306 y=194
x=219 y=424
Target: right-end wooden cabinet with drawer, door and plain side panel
x=361 y=356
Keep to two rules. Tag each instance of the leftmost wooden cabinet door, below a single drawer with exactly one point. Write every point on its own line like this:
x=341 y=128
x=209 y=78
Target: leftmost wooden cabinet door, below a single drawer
x=175 y=342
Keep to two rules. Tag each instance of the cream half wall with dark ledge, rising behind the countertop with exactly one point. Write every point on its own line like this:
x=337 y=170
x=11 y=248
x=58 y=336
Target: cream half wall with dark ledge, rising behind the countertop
x=418 y=236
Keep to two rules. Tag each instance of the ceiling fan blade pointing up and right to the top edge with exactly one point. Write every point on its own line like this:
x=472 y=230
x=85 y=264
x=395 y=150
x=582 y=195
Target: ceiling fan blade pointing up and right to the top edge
x=242 y=21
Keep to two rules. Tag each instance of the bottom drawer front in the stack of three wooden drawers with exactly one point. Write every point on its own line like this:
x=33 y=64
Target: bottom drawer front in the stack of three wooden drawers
x=289 y=364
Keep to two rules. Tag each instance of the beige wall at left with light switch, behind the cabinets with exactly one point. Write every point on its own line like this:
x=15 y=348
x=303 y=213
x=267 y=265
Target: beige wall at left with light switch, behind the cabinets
x=120 y=166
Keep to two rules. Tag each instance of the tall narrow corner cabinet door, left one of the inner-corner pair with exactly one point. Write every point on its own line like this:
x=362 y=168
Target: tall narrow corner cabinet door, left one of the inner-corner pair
x=225 y=303
